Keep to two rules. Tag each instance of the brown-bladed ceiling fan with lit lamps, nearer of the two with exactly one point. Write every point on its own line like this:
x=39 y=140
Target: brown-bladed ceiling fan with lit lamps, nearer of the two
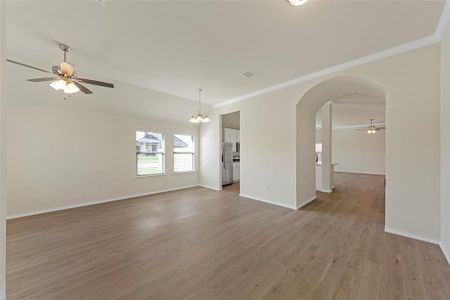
x=64 y=76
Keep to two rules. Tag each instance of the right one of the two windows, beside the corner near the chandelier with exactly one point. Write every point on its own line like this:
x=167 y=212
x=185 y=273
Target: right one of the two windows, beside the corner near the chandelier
x=183 y=153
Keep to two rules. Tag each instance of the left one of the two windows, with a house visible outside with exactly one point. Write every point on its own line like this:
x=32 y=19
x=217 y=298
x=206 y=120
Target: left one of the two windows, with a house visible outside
x=149 y=153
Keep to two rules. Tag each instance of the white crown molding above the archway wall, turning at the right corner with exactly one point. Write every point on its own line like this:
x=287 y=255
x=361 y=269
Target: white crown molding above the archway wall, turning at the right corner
x=426 y=41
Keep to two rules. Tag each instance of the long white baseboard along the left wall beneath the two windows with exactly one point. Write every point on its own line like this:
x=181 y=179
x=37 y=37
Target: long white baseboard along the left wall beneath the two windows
x=43 y=211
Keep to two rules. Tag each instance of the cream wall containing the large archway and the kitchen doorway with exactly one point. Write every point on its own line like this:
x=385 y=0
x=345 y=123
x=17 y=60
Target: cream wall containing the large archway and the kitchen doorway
x=412 y=87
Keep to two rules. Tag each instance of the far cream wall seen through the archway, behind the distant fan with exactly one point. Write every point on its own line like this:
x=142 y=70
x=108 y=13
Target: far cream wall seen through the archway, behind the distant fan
x=358 y=152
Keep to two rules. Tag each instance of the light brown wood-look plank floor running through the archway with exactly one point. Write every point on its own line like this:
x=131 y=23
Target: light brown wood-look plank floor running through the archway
x=204 y=244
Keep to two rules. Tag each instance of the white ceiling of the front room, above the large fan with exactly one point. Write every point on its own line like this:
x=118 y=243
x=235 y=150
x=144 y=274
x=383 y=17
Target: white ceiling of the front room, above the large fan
x=178 y=46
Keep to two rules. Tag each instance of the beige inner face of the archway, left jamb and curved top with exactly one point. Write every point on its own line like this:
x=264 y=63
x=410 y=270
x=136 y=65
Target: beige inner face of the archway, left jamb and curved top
x=306 y=110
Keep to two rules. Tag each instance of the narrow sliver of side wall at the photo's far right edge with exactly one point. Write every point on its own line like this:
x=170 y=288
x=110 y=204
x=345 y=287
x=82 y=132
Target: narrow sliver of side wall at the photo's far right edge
x=445 y=143
